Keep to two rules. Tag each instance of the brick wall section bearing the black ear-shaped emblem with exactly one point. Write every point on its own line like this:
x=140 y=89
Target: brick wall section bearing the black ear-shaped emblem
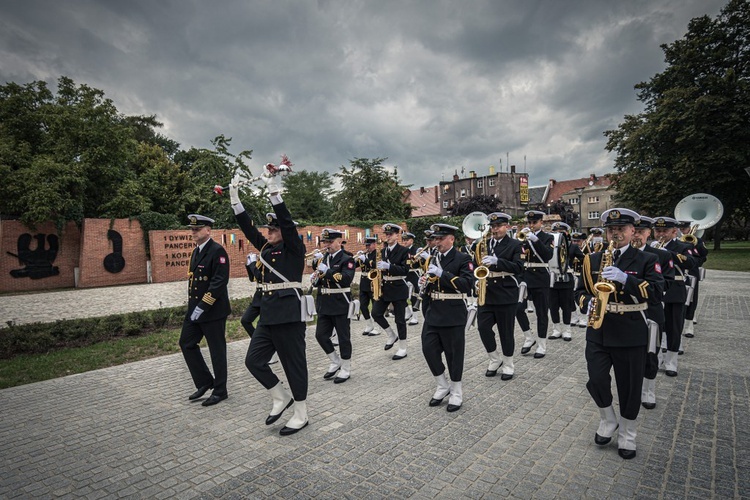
x=101 y=264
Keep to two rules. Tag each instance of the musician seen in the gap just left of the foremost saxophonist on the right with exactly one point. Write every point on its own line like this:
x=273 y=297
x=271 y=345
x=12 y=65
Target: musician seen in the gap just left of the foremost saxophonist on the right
x=561 y=291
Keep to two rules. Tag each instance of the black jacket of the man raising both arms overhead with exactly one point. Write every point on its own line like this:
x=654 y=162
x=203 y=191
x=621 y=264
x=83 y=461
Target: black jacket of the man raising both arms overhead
x=288 y=258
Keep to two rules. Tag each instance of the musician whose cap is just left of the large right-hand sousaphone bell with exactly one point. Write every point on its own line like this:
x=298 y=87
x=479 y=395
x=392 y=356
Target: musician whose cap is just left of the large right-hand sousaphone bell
x=665 y=233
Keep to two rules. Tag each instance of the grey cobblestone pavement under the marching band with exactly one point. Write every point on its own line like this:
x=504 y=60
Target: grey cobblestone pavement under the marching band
x=129 y=431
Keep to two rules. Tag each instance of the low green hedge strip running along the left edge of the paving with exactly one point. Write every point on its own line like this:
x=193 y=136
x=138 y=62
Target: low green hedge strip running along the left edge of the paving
x=35 y=338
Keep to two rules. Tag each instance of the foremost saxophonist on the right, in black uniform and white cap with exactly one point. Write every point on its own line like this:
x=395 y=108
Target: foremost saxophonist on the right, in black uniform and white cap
x=621 y=340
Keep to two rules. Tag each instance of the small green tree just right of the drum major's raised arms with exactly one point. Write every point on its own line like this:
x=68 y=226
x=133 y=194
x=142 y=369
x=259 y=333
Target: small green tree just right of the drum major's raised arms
x=308 y=195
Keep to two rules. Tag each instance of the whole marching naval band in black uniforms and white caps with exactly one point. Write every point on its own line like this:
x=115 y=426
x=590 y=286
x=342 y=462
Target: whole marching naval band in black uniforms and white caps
x=632 y=290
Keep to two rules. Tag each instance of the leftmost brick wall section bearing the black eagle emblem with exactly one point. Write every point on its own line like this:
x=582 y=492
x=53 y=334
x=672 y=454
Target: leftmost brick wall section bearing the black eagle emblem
x=37 y=273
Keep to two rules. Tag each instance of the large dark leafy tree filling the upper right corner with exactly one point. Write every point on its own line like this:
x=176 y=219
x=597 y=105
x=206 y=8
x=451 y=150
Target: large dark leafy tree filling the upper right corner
x=694 y=134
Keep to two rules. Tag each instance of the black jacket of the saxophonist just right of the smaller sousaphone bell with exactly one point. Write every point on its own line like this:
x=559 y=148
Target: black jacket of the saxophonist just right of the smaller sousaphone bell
x=509 y=253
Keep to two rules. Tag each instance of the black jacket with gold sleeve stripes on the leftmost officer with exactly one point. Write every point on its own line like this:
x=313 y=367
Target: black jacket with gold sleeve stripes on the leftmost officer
x=207 y=282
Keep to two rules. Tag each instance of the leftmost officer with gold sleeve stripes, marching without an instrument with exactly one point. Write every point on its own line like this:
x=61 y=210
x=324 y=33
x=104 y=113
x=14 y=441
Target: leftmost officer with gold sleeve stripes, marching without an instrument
x=208 y=308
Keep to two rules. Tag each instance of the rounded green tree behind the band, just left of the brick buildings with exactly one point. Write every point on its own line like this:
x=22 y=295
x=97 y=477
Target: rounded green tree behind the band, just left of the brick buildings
x=369 y=192
